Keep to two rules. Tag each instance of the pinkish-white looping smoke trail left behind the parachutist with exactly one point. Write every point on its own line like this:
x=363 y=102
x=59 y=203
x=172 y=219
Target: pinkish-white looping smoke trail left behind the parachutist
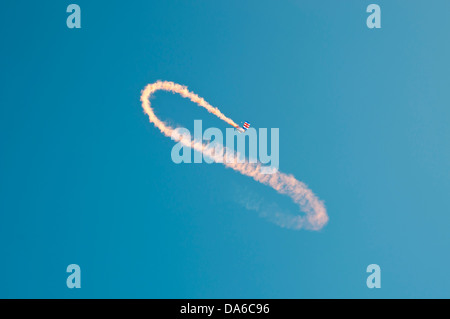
x=315 y=213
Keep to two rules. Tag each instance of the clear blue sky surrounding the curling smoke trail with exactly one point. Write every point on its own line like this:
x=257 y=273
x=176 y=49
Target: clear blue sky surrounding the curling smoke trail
x=85 y=179
